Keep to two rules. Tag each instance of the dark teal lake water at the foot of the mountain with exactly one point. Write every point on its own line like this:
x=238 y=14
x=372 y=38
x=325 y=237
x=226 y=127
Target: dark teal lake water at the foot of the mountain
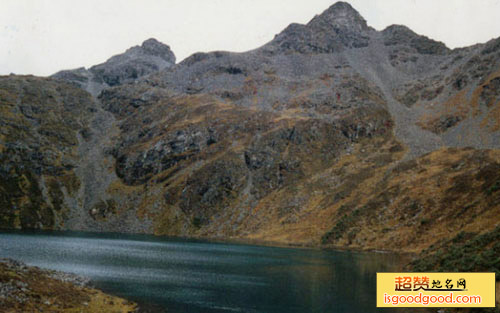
x=190 y=276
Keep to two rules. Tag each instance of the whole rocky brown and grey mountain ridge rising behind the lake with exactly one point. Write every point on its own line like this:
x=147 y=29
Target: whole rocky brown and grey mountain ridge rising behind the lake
x=333 y=134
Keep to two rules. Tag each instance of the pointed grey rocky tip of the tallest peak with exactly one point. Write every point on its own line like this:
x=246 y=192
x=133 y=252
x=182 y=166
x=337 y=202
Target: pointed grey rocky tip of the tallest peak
x=340 y=15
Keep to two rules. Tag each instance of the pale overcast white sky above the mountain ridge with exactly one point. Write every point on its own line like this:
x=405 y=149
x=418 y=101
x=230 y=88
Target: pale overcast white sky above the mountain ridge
x=41 y=37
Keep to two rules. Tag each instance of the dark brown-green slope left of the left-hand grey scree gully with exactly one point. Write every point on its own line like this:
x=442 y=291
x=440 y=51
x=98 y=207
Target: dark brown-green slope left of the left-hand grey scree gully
x=42 y=124
